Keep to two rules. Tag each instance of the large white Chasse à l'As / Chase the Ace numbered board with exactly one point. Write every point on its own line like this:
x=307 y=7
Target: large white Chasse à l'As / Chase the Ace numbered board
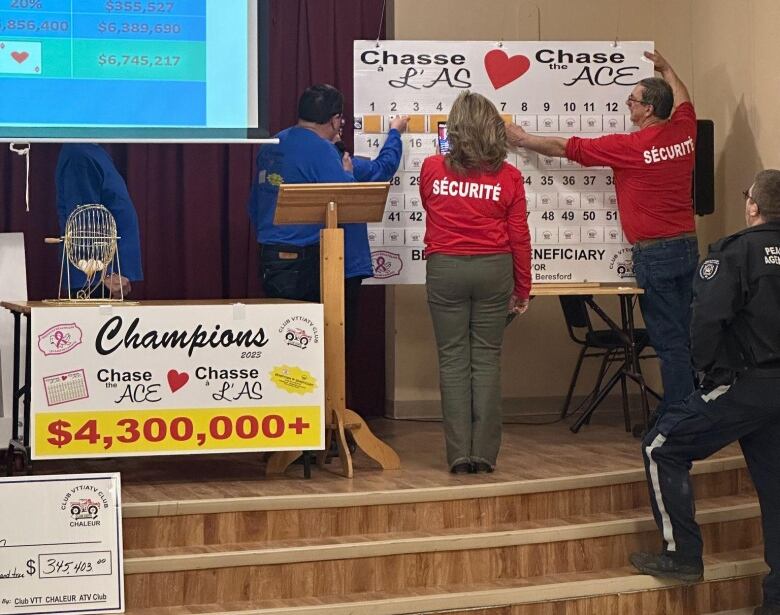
x=551 y=88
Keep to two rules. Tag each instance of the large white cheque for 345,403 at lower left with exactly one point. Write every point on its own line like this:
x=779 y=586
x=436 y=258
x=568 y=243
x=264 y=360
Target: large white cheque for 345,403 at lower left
x=61 y=544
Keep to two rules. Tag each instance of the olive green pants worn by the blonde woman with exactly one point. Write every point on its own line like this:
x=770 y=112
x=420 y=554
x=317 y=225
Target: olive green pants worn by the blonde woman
x=468 y=297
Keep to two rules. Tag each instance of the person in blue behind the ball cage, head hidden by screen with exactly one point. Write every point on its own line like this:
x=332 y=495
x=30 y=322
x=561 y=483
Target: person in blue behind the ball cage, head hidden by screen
x=86 y=174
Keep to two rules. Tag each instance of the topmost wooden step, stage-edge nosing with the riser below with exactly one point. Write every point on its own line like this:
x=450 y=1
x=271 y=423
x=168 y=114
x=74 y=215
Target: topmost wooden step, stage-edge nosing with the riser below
x=234 y=520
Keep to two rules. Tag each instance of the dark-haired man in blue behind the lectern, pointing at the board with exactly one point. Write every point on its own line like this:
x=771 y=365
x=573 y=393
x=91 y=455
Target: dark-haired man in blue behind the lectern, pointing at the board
x=289 y=254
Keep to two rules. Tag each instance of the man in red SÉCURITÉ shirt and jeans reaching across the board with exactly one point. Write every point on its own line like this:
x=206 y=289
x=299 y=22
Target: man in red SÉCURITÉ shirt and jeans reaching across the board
x=653 y=168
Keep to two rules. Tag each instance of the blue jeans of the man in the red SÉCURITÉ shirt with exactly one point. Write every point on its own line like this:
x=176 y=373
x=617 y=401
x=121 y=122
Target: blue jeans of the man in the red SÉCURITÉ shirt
x=665 y=271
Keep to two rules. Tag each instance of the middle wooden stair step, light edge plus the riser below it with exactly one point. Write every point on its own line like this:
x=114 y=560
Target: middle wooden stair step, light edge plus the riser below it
x=430 y=561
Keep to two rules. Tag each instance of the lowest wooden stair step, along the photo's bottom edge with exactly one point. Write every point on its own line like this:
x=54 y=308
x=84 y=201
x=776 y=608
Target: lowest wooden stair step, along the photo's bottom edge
x=562 y=594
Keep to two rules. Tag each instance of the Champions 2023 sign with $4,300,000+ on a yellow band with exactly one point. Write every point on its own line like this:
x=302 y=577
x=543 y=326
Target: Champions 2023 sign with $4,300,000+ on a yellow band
x=152 y=380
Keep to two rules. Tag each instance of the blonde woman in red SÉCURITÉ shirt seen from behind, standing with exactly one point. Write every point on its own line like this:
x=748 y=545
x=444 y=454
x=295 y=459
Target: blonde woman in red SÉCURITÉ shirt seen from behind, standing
x=478 y=251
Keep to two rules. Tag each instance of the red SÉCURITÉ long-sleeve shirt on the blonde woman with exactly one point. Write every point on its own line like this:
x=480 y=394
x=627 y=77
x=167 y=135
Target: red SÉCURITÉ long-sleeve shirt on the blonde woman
x=478 y=213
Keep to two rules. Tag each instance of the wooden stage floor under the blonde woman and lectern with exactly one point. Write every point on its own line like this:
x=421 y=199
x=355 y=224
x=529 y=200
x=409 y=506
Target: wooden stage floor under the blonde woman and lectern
x=530 y=454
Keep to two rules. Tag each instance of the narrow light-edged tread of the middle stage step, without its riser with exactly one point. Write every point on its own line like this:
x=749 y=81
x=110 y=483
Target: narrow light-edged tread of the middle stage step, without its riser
x=710 y=510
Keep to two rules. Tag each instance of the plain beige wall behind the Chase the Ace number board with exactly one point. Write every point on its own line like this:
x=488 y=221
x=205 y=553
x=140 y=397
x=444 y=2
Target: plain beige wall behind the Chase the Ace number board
x=723 y=49
